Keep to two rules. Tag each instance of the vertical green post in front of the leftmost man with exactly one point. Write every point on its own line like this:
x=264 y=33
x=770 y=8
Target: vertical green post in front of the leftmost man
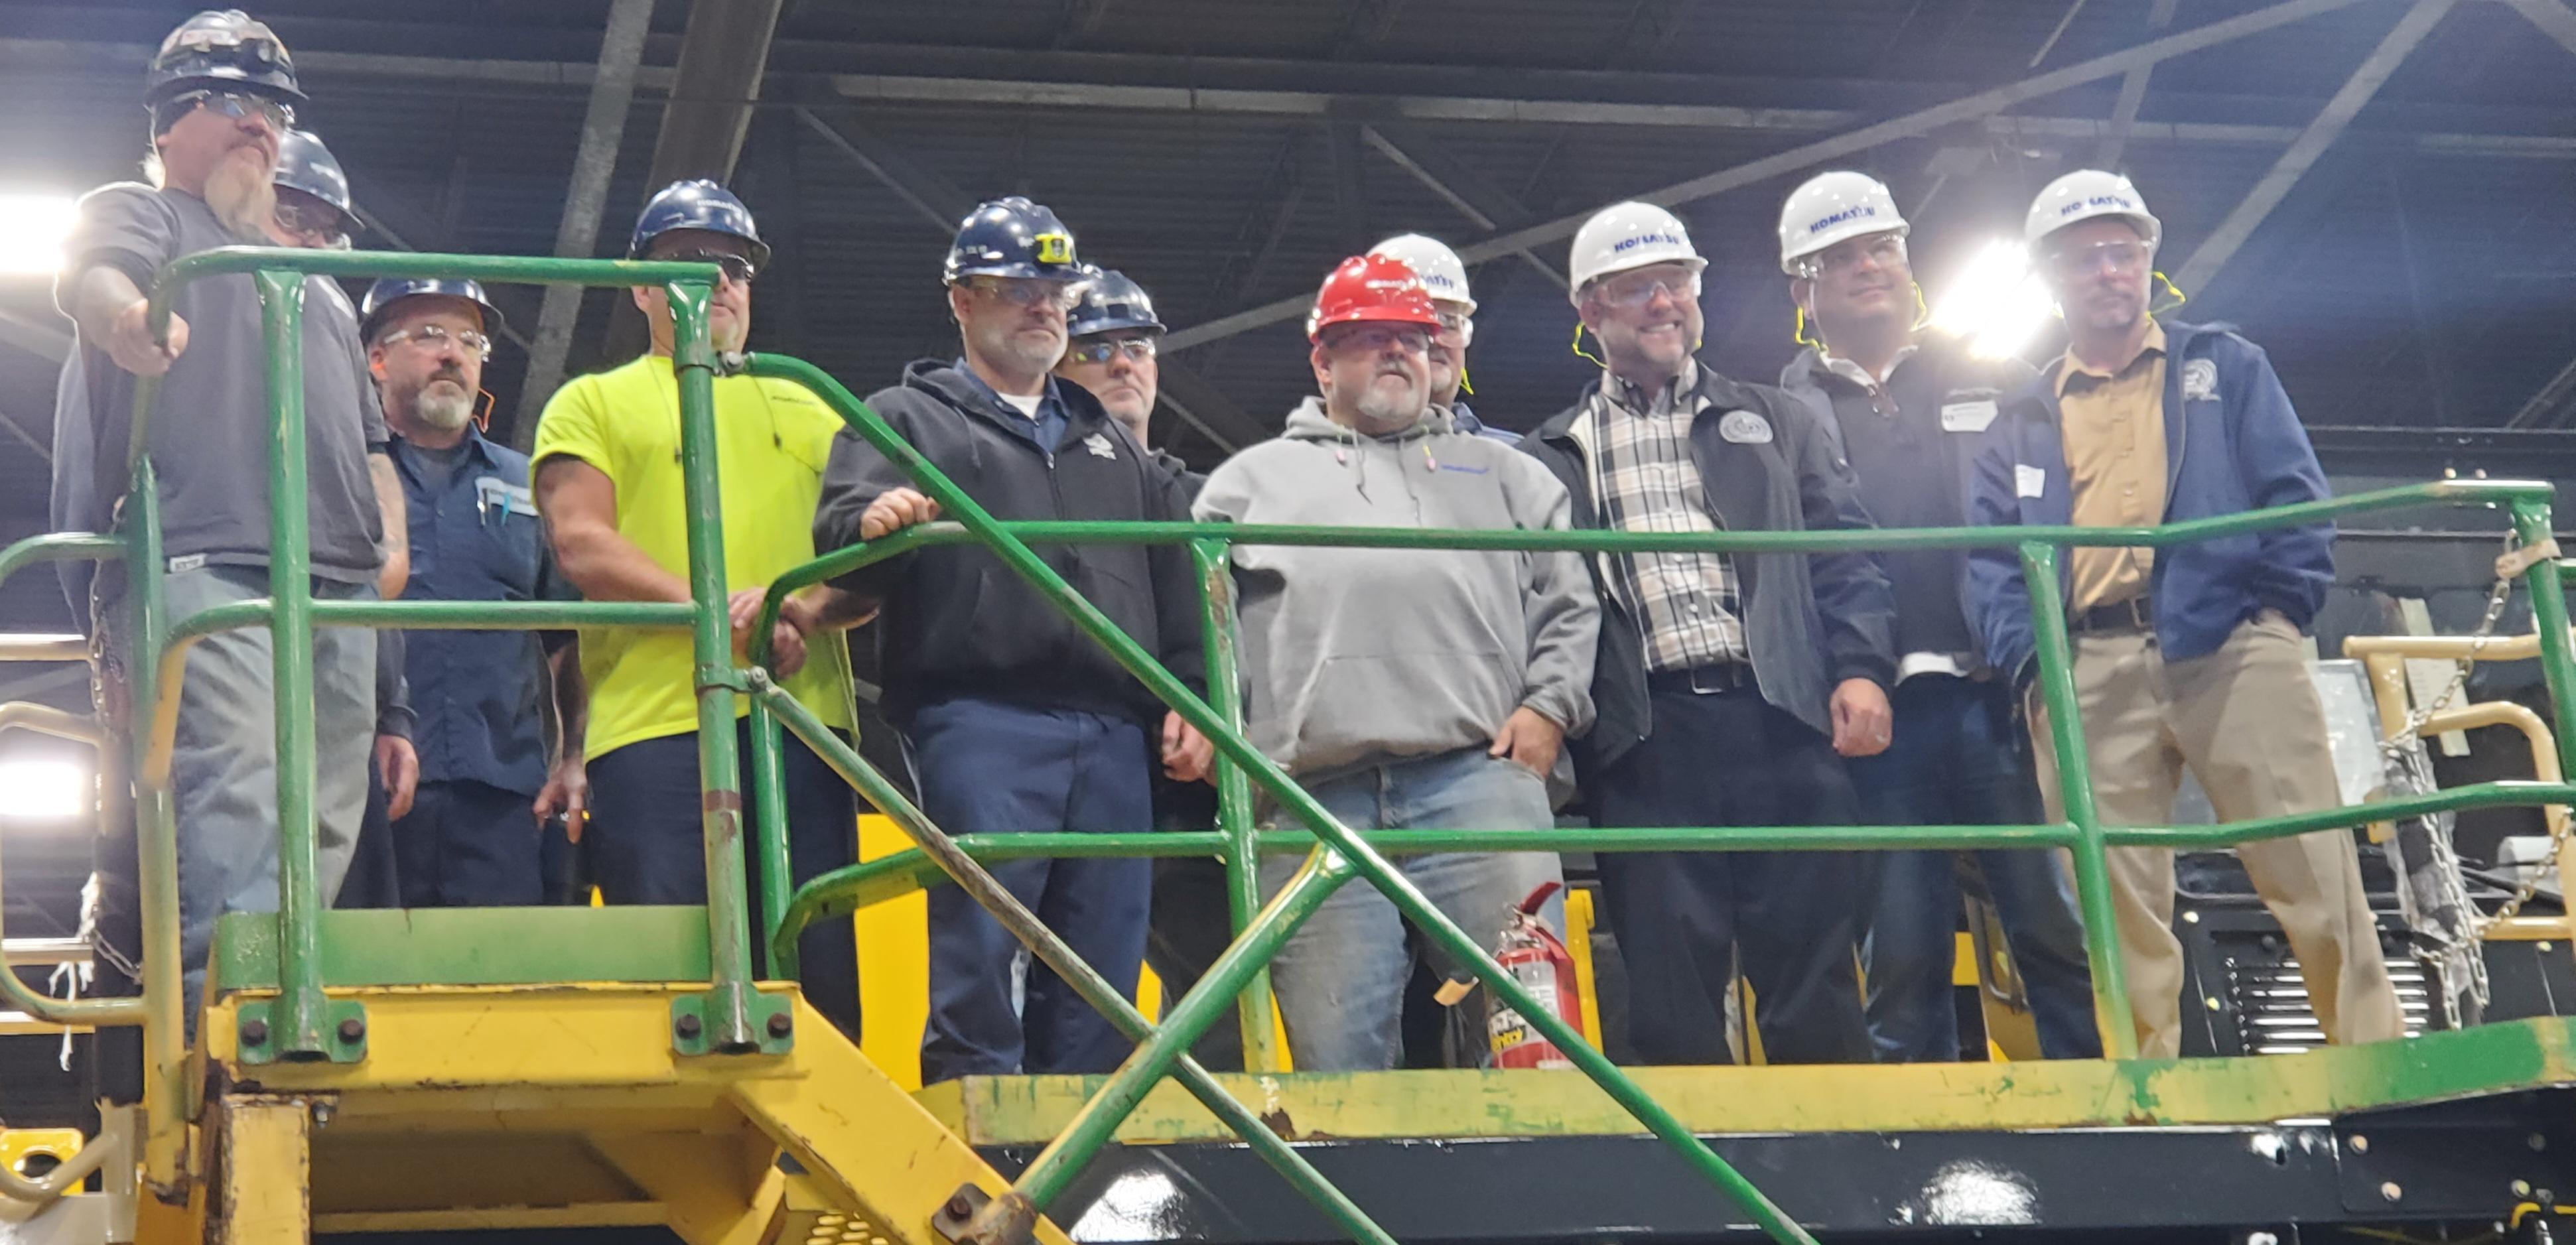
x=300 y=1019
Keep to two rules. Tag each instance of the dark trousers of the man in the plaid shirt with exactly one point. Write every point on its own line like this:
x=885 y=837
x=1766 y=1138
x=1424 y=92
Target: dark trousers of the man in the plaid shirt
x=1686 y=919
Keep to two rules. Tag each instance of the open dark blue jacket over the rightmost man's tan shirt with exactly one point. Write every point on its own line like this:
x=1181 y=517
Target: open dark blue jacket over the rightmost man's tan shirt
x=2230 y=445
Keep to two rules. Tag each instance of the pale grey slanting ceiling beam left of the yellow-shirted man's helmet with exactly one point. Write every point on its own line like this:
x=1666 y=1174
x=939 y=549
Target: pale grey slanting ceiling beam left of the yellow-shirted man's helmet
x=578 y=233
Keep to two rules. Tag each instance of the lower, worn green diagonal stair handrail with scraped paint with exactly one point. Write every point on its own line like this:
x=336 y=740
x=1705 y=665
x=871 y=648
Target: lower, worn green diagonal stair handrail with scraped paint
x=1063 y=960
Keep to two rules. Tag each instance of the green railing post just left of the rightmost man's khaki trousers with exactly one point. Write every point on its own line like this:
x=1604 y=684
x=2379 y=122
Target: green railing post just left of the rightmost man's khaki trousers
x=2075 y=793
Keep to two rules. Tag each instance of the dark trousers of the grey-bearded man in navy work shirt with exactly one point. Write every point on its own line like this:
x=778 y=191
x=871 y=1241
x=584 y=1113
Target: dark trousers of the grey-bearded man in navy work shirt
x=470 y=844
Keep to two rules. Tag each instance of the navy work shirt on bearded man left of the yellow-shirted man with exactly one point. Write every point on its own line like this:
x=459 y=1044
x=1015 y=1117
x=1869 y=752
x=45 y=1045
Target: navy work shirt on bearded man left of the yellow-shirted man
x=478 y=537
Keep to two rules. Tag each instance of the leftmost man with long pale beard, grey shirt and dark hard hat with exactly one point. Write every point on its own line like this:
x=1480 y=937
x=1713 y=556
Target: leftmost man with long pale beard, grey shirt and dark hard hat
x=223 y=94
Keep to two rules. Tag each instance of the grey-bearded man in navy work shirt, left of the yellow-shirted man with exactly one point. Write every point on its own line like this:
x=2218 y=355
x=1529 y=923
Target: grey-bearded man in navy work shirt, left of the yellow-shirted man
x=486 y=782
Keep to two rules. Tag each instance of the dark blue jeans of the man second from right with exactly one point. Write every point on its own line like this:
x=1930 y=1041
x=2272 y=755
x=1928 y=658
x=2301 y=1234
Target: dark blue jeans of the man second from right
x=1954 y=762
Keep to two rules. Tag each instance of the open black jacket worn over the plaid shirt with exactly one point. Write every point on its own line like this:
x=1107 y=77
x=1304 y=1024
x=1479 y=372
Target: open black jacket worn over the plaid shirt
x=1812 y=620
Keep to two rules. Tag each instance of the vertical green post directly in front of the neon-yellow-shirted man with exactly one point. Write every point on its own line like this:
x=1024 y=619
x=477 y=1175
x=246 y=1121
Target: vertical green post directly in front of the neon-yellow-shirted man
x=720 y=775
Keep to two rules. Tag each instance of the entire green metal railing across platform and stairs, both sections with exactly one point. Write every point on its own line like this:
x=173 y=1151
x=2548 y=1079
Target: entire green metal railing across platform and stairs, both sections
x=733 y=1014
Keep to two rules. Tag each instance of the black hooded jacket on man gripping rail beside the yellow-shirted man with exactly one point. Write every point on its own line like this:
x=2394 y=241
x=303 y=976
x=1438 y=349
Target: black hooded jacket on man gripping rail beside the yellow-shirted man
x=965 y=625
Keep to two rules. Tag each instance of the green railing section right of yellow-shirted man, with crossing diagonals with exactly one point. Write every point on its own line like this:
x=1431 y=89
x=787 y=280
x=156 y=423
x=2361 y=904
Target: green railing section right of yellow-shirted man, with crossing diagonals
x=1341 y=854
